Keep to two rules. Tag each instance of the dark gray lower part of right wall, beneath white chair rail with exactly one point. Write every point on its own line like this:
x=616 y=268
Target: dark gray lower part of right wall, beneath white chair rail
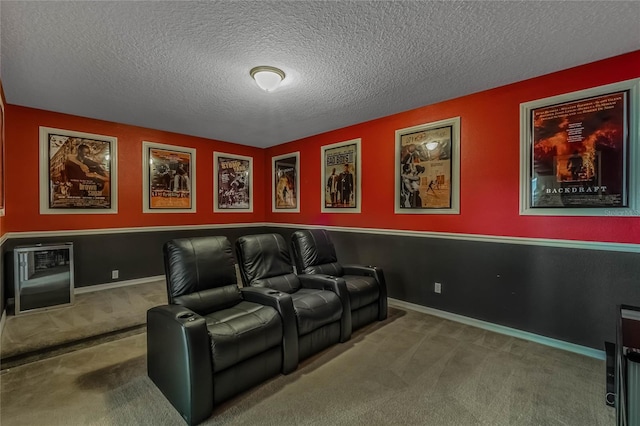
x=566 y=294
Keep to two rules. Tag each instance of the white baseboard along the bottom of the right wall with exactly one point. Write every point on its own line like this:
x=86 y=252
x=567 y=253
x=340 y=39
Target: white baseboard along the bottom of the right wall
x=548 y=341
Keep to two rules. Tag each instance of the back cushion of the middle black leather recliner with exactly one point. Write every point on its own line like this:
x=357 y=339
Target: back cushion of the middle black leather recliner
x=265 y=262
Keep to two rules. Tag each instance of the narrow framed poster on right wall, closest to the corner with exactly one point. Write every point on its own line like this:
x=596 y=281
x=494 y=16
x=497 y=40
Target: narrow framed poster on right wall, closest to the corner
x=286 y=183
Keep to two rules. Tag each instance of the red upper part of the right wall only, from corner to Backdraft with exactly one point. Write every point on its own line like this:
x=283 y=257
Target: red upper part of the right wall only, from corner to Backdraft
x=490 y=157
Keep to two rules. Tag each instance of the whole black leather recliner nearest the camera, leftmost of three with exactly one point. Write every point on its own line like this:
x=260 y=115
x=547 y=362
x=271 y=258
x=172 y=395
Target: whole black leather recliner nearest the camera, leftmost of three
x=215 y=340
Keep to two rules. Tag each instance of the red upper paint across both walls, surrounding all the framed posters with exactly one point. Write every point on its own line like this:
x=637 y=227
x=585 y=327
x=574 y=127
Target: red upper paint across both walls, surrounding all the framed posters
x=490 y=159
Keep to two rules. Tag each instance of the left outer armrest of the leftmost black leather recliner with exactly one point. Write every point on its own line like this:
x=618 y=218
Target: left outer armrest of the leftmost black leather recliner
x=179 y=360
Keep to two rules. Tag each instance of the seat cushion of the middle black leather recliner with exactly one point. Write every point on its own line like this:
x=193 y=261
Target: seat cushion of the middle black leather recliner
x=315 y=308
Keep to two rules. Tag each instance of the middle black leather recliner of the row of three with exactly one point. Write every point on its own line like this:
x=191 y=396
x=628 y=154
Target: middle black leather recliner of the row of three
x=323 y=318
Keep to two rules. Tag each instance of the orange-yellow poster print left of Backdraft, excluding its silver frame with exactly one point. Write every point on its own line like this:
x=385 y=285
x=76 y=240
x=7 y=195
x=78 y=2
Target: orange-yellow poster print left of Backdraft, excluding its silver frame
x=425 y=169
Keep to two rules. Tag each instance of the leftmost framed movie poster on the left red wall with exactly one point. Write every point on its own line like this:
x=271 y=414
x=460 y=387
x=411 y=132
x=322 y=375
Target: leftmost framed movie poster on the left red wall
x=78 y=172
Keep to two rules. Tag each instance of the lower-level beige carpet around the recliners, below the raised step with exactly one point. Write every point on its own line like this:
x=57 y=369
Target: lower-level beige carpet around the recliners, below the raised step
x=412 y=369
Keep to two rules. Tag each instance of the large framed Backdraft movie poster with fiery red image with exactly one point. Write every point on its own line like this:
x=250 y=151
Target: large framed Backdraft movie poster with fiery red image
x=579 y=153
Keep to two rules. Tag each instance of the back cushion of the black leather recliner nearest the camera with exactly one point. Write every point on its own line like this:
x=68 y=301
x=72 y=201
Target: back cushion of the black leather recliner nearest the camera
x=201 y=273
